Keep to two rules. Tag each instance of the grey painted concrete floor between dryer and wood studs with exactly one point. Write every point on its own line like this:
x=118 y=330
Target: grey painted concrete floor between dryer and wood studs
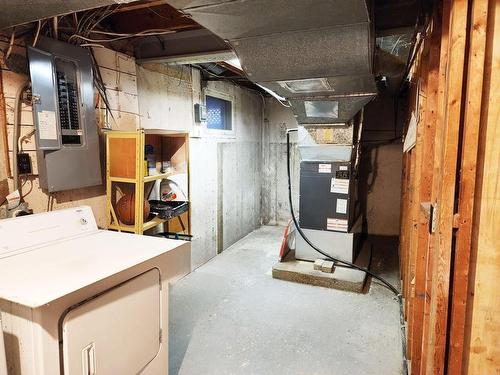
x=231 y=317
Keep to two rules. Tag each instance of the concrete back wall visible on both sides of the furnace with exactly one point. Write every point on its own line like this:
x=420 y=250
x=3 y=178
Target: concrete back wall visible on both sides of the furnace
x=380 y=170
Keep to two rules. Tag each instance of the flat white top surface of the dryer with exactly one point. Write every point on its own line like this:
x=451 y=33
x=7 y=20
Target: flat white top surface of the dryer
x=42 y=275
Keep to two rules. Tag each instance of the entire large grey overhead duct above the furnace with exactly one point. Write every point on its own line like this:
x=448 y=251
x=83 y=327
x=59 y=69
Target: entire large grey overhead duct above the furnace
x=318 y=54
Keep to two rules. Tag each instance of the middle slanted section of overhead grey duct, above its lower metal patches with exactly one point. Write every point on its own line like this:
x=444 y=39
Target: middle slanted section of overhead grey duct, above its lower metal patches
x=302 y=54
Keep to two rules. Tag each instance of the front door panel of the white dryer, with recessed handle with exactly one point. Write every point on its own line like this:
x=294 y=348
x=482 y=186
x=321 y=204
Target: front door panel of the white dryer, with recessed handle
x=116 y=332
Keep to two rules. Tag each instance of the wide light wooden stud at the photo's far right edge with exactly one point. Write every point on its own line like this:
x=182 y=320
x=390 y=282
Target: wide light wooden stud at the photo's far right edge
x=481 y=352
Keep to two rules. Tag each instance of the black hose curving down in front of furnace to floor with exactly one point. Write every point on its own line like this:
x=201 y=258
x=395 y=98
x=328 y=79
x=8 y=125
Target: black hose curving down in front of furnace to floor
x=302 y=234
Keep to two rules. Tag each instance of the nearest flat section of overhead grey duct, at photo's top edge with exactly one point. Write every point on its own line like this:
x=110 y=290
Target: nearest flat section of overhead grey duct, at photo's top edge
x=232 y=20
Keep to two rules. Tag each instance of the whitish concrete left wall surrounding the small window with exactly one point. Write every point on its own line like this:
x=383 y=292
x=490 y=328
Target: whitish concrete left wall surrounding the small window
x=225 y=170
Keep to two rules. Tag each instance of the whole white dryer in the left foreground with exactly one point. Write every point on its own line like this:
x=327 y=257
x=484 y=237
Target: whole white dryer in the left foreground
x=78 y=300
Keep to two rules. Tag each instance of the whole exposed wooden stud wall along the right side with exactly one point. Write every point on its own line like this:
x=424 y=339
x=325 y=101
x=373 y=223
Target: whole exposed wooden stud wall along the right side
x=450 y=185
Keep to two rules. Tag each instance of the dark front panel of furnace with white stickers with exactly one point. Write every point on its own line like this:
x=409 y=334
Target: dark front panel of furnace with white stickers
x=326 y=189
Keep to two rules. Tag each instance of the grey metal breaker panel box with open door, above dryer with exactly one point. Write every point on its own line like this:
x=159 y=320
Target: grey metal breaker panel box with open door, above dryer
x=64 y=116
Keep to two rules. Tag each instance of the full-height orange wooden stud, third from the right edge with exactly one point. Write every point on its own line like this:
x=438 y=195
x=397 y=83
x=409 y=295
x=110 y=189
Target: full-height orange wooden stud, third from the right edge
x=452 y=102
